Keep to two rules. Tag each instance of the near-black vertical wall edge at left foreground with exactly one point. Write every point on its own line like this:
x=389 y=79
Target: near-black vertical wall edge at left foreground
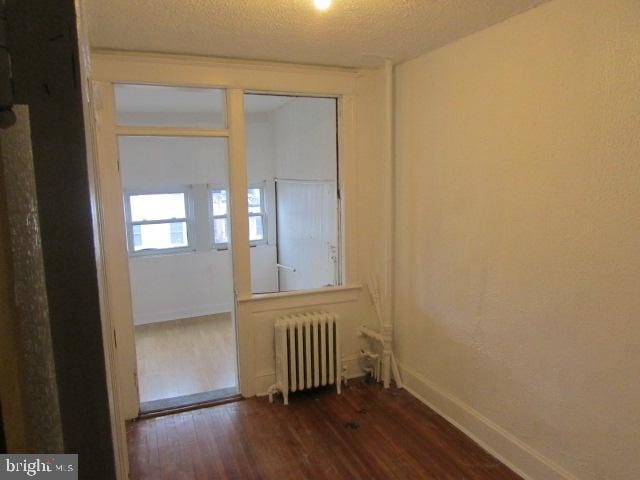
x=42 y=38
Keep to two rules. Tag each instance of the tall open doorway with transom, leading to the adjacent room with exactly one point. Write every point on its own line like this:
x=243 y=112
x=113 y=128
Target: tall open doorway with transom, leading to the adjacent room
x=174 y=178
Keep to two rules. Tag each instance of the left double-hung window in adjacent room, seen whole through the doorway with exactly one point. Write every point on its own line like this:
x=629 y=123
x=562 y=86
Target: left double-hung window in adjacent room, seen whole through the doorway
x=158 y=222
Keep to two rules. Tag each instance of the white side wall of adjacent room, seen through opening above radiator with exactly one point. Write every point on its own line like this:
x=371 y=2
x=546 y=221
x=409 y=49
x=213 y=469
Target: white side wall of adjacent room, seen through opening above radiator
x=306 y=154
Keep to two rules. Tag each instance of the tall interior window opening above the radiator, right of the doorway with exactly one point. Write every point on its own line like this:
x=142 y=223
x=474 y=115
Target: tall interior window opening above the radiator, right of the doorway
x=291 y=149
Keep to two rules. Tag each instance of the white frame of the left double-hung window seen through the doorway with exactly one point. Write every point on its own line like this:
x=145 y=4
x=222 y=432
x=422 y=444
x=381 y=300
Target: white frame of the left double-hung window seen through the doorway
x=187 y=191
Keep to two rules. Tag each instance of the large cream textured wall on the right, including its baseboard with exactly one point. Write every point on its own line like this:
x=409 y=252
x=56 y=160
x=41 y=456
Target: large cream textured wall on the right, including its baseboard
x=518 y=235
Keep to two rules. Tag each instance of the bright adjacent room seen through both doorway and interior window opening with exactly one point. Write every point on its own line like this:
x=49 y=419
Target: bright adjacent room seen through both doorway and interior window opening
x=175 y=193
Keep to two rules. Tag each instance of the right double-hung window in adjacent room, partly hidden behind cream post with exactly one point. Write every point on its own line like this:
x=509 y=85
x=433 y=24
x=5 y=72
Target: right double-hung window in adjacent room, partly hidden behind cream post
x=220 y=216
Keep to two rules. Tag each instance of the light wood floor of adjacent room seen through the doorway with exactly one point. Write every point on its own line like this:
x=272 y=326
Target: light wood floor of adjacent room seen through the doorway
x=184 y=357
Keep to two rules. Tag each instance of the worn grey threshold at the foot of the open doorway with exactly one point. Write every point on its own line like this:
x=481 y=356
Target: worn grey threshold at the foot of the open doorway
x=183 y=403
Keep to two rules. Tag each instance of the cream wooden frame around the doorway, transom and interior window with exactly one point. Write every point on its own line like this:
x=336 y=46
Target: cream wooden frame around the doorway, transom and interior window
x=236 y=77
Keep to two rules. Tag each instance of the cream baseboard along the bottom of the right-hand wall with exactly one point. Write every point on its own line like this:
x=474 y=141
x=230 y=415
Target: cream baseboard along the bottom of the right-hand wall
x=520 y=457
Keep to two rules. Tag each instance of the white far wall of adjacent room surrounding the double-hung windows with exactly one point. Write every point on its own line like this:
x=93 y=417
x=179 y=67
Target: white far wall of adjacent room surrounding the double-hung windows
x=168 y=287
